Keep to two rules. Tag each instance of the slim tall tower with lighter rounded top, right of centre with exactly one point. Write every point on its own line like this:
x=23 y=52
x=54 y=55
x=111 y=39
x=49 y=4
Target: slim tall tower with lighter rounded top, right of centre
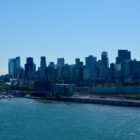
x=105 y=60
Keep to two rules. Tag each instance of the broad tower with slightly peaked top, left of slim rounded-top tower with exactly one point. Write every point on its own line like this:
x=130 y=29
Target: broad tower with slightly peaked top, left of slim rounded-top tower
x=91 y=64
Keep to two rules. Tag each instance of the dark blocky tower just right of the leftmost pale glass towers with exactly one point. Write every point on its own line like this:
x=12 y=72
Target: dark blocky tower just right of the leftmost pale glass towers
x=30 y=69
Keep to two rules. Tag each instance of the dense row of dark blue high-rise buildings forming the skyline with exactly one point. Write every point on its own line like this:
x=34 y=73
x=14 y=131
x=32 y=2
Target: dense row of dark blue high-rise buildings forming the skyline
x=125 y=69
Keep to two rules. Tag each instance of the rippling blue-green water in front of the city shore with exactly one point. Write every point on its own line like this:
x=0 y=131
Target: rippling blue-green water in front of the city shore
x=27 y=119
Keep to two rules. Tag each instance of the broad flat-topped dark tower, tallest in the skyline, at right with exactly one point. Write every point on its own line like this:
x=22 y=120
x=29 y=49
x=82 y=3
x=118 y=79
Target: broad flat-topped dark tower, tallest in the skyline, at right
x=122 y=56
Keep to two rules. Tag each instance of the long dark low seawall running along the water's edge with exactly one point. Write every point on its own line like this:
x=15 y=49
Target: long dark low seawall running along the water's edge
x=116 y=102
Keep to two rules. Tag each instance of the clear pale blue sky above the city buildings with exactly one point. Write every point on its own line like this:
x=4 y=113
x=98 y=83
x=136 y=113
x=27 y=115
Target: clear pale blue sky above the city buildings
x=67 y=28
